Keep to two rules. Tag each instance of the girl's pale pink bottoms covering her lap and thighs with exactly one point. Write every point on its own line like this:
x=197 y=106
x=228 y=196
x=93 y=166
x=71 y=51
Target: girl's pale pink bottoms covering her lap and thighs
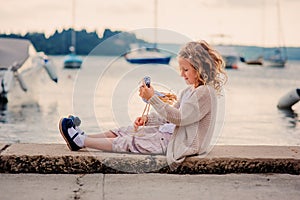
x=147 y=140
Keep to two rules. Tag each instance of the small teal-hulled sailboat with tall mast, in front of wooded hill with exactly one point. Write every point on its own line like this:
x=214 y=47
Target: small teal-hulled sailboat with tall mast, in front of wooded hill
x=72 y=60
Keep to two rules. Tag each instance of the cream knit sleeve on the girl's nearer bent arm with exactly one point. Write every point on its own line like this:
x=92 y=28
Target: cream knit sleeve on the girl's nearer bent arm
x=190 y=111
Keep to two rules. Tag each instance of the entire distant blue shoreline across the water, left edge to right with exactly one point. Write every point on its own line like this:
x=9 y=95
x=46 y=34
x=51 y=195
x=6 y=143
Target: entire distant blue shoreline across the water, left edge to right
x=59 y=42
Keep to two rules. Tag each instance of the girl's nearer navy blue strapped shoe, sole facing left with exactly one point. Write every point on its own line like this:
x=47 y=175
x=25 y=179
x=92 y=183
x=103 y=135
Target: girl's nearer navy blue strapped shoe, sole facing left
x=64 y=125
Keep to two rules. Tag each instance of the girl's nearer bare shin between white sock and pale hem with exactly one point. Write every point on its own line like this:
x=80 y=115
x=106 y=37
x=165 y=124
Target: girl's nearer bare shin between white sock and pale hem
x=99 y=143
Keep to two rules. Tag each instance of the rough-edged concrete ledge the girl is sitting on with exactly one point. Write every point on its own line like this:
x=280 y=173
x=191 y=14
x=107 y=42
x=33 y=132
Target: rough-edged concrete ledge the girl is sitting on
x=56 y=158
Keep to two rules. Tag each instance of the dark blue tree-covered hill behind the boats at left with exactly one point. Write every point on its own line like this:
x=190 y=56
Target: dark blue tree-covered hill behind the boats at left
x=59 y=42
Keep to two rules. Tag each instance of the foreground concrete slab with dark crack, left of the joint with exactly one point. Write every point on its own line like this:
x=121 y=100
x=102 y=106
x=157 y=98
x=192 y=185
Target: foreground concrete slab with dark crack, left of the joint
x=47 y=186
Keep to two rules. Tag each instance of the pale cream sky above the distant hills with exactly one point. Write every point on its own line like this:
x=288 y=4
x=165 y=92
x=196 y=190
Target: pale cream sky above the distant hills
x=245 y=22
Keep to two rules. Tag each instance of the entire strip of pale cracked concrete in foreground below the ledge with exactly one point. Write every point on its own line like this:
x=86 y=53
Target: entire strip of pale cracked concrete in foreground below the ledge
x=149 y=186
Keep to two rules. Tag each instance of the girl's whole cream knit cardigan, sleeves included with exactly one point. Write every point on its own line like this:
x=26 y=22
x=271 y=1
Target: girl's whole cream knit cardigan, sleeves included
x=194 y=117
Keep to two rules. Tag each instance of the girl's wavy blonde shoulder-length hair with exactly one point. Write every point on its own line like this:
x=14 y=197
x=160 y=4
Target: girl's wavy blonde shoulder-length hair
x=207 y=62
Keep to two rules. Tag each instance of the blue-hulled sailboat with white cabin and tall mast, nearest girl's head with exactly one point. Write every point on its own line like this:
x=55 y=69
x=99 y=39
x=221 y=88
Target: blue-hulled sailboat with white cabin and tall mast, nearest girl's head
x=146 y=55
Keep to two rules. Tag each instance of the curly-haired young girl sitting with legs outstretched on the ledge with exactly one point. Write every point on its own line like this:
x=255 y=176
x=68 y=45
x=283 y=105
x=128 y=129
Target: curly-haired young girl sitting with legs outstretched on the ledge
x=178 y=131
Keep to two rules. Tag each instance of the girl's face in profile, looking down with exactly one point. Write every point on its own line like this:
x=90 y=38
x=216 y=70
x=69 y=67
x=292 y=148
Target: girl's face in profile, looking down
x=188 y=72
